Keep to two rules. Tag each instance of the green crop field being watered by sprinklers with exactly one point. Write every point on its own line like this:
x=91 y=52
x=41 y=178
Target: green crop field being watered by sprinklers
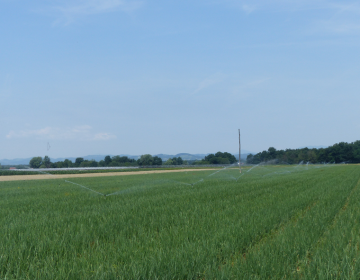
x=297 y=222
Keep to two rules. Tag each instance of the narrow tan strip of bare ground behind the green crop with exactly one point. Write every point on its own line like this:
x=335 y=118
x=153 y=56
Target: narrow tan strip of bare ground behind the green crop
x=85 y=175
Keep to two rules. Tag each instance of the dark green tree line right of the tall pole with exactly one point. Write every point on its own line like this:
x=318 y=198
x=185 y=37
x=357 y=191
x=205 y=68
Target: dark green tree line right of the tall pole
x=337 y=153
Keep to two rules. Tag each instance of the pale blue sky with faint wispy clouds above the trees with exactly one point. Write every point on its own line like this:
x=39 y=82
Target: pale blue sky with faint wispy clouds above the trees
x=134 y=77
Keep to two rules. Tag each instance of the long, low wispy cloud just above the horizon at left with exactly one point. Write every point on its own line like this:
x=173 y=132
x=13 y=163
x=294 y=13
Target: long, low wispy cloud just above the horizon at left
x=50 y=133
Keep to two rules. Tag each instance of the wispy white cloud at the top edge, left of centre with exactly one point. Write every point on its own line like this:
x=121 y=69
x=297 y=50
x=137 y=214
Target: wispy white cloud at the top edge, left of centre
x=68 y=11
